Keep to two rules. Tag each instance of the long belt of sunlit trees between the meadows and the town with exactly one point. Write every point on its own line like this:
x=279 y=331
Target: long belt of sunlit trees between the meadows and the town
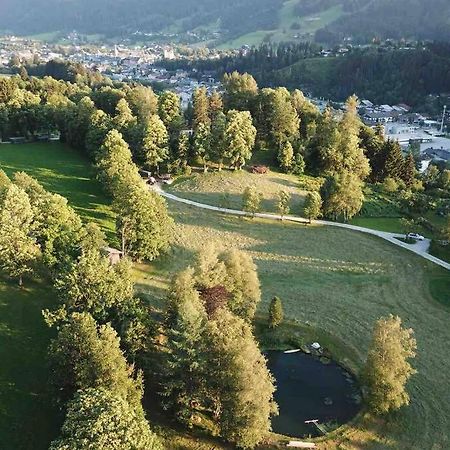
x=120 y=126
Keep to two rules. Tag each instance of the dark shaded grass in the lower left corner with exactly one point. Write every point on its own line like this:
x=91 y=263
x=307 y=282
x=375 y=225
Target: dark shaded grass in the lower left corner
x=28 y=421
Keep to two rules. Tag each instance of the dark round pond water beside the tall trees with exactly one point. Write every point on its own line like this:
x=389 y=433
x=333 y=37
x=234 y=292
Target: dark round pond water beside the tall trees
x=308 y=389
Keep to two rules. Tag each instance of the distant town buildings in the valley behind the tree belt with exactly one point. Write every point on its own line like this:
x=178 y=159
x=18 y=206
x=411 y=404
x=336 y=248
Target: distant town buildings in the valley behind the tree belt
x=143 y=63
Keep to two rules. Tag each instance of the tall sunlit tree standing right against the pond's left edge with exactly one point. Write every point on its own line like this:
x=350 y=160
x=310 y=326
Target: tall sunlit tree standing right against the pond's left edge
x=240 y=385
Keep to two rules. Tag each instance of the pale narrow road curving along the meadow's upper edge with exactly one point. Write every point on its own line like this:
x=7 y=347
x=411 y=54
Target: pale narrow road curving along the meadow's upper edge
x=419 y=248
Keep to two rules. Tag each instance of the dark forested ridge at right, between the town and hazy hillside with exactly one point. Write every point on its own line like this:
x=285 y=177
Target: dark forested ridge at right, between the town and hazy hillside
x=382 y=75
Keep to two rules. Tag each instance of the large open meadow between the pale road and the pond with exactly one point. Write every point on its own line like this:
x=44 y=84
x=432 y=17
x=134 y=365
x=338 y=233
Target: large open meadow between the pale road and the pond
x=340 y=282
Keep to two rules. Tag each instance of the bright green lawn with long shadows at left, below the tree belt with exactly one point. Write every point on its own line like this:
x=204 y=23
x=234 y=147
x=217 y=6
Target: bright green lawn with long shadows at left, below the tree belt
x=65 y=171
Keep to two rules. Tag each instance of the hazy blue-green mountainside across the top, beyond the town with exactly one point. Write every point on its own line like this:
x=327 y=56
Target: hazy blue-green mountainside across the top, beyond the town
x=236 y=22
